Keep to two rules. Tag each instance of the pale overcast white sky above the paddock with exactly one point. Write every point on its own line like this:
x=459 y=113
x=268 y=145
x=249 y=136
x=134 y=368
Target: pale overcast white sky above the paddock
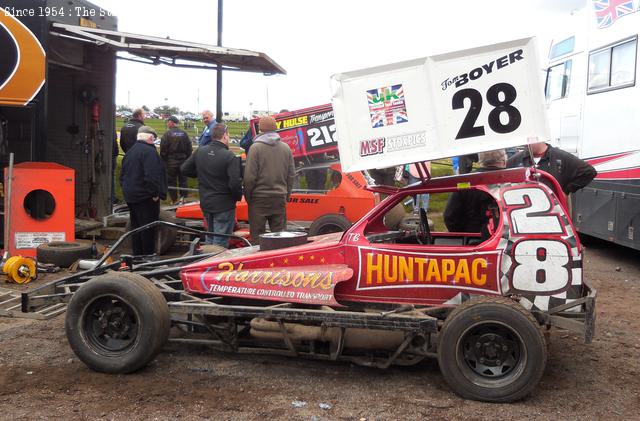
x=312 y=40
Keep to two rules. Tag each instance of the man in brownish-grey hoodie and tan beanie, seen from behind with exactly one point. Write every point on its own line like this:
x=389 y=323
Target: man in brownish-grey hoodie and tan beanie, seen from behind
x=268 y=180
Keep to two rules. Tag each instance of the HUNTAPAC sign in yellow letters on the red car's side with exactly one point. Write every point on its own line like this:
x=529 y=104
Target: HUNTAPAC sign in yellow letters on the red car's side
x=383 y=269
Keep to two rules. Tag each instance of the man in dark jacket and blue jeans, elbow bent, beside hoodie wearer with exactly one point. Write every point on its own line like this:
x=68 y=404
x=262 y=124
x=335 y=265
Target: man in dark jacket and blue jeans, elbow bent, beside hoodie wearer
x=219 y=183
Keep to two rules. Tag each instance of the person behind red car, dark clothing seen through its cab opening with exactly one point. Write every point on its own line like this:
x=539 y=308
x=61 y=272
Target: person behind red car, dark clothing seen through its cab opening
x=466 y=210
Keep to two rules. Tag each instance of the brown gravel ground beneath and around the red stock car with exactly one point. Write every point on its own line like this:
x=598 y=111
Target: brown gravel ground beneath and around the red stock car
x=40 y=378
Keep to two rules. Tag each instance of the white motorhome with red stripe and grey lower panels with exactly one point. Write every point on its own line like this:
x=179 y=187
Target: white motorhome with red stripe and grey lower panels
x=593 y=101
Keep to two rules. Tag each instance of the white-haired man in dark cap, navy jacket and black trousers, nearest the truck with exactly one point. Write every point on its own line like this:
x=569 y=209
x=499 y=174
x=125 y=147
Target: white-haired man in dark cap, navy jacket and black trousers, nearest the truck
x=144 y=184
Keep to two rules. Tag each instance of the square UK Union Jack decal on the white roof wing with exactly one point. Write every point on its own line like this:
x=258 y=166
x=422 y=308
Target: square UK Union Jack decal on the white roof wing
x=387 y=106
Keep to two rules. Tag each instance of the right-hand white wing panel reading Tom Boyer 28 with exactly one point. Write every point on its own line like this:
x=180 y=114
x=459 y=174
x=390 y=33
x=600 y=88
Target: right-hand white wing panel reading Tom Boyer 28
x=491 y=96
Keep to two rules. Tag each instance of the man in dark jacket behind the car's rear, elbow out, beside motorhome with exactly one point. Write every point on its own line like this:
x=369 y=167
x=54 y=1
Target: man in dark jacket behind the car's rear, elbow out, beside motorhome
x=571 y=172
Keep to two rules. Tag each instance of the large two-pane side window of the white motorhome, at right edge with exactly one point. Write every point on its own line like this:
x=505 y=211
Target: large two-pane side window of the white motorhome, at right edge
x=612 y=67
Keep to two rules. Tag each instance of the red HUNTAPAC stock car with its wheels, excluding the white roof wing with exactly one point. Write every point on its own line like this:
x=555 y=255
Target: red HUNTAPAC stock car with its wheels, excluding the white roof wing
x=376 y=295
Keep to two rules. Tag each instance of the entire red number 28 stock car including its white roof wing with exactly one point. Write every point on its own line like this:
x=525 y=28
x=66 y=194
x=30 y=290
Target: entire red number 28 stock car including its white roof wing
x=382 y=292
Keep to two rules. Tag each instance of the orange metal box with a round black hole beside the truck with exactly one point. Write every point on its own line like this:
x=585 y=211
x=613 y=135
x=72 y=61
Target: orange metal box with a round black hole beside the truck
x=42 y=206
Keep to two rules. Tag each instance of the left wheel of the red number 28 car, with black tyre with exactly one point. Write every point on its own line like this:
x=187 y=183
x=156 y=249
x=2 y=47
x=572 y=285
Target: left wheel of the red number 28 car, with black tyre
x=117 y=323
